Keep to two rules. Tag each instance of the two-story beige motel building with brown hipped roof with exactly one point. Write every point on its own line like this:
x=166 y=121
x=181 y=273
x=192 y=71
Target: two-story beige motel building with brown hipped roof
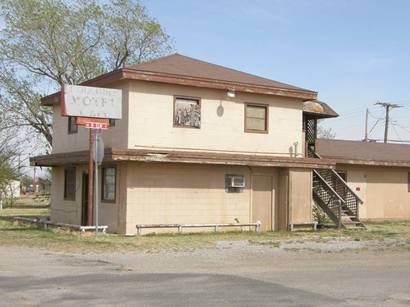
x=197 y=143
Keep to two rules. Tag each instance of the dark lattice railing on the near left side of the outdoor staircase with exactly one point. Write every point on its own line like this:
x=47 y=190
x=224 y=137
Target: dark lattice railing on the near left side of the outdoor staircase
x=327 y=198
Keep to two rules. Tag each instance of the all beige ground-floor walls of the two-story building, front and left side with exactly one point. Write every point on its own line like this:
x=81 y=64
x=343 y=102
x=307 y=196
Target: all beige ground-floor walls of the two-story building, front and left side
x=168 y=193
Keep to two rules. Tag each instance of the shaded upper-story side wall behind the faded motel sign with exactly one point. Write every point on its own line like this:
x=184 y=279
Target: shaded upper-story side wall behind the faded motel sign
x=113 y=137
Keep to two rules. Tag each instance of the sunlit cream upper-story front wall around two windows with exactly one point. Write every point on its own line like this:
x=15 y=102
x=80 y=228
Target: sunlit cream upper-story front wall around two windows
x=151 y=121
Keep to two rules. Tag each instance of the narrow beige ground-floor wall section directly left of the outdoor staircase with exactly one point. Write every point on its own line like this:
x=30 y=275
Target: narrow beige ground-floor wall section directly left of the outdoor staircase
x=300 y=196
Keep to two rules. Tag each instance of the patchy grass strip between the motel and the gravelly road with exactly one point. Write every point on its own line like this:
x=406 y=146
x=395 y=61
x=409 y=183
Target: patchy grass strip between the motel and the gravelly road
x=12 y=233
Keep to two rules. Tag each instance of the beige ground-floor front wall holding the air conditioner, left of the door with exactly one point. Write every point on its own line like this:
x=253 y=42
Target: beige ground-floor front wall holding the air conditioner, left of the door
x=183 y=193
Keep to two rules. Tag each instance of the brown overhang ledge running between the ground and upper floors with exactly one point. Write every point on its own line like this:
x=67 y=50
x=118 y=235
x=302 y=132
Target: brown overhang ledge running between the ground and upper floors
x=190 y=157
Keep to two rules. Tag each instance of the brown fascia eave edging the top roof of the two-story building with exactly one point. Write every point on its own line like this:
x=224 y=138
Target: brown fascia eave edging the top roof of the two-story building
x=131 y=74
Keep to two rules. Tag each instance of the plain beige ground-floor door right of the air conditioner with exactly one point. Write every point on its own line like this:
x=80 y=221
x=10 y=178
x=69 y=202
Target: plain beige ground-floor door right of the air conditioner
x=262 y=201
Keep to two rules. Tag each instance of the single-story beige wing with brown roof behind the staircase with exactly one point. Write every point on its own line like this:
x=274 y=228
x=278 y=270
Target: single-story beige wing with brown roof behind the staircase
x=379 y=173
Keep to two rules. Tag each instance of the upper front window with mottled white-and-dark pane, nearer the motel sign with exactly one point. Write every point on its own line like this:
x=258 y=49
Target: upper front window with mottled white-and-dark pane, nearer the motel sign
x=187 y=112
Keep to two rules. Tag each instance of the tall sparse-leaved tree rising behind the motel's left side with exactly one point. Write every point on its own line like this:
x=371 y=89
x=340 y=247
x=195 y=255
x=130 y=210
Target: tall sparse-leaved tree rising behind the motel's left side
x=47 y=43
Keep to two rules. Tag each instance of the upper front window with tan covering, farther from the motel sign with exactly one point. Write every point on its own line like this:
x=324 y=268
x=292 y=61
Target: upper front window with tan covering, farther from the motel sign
x=256 y=118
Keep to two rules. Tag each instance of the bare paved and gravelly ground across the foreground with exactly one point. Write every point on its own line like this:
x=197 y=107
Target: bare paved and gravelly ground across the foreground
x=231 y=273
